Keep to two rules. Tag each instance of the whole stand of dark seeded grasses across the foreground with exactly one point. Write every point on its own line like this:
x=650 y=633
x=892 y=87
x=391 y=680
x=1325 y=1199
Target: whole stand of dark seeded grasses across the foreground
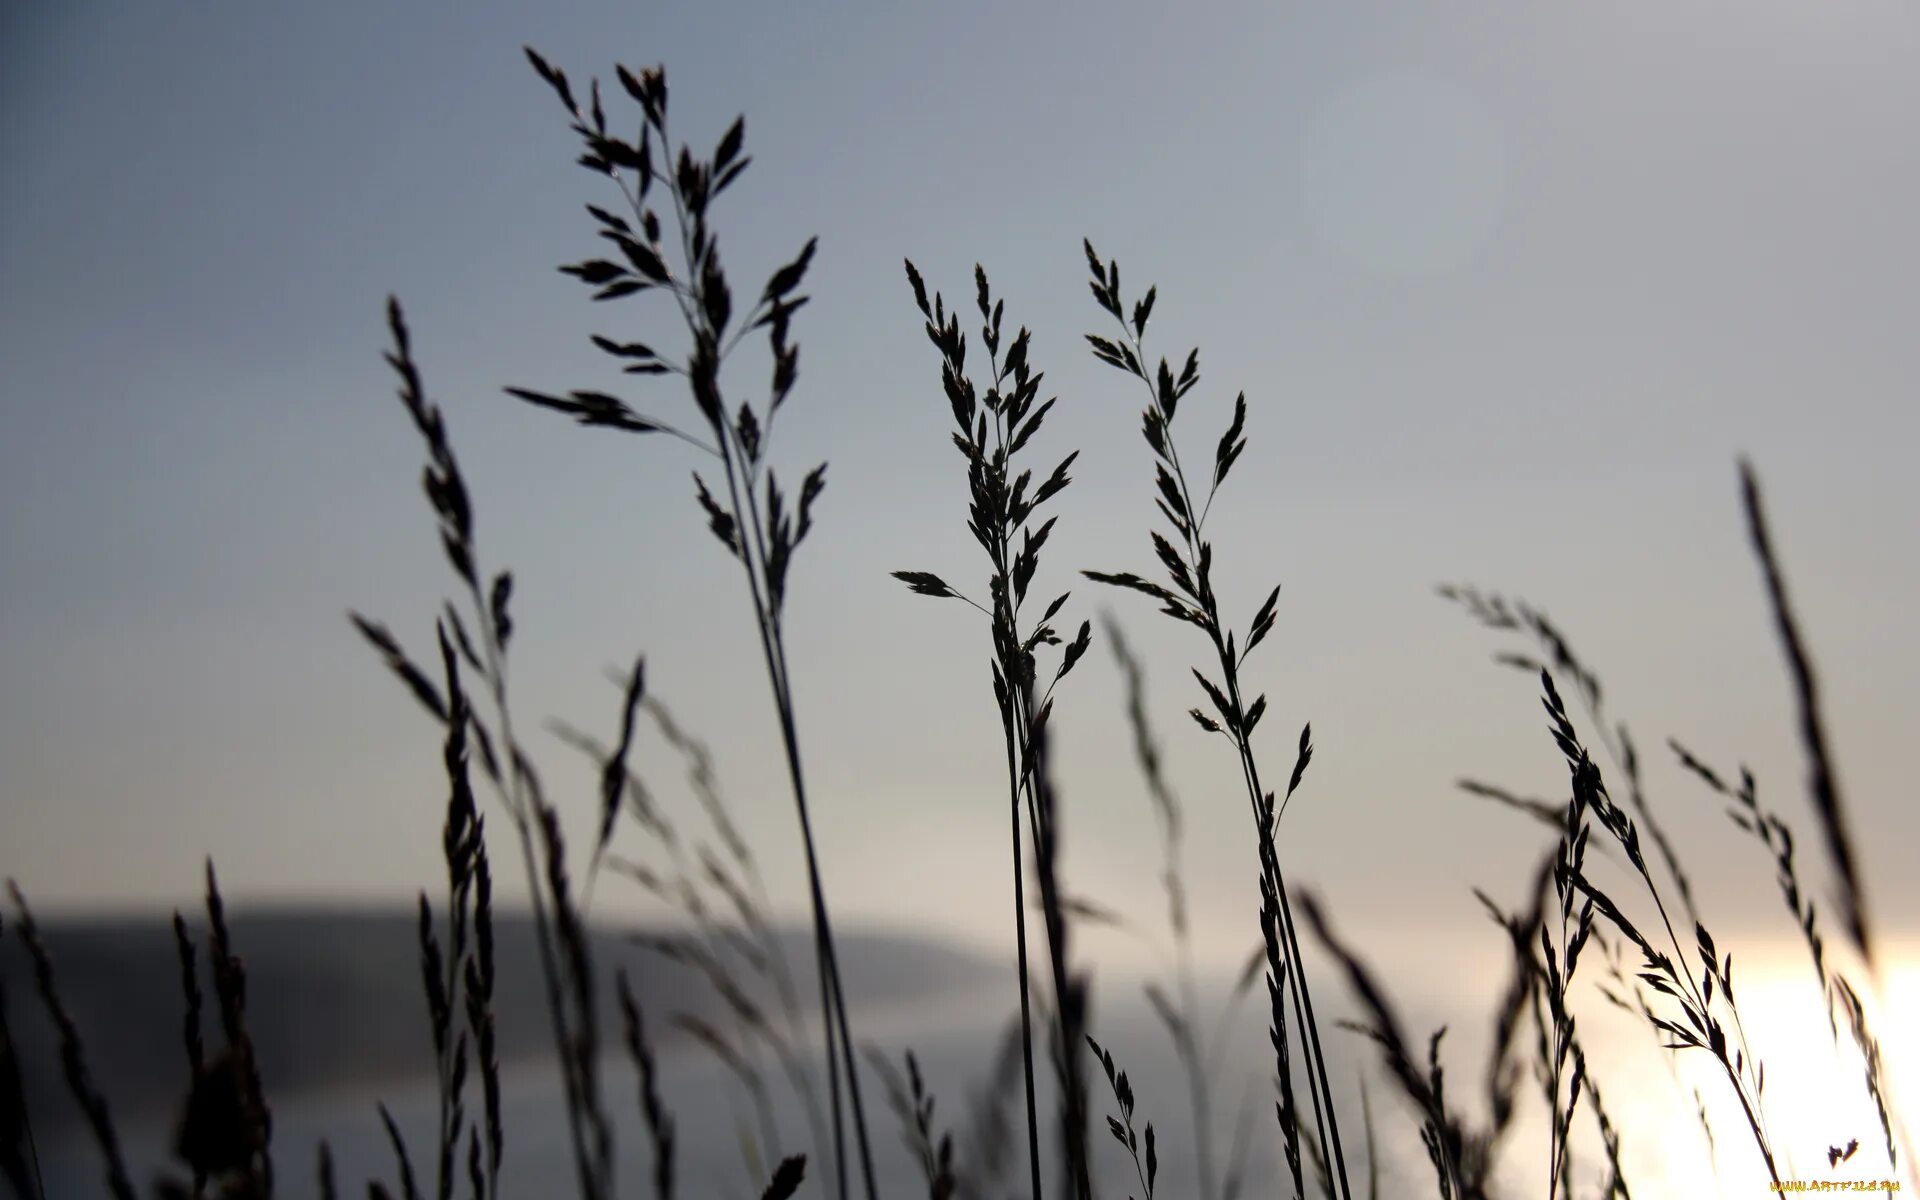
x=1633 y=928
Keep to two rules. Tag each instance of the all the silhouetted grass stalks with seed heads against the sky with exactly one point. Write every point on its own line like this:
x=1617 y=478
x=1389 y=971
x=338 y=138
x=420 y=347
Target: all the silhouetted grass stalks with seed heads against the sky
x=1683 y=988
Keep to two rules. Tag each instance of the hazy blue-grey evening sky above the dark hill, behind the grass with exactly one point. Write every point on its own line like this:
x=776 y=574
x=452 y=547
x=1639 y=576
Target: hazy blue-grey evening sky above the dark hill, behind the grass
x=1508 y=291
